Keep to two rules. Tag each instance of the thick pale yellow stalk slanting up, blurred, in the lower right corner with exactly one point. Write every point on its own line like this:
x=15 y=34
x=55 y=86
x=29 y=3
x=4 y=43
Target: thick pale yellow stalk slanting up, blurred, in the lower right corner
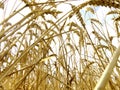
x=106 y=74
